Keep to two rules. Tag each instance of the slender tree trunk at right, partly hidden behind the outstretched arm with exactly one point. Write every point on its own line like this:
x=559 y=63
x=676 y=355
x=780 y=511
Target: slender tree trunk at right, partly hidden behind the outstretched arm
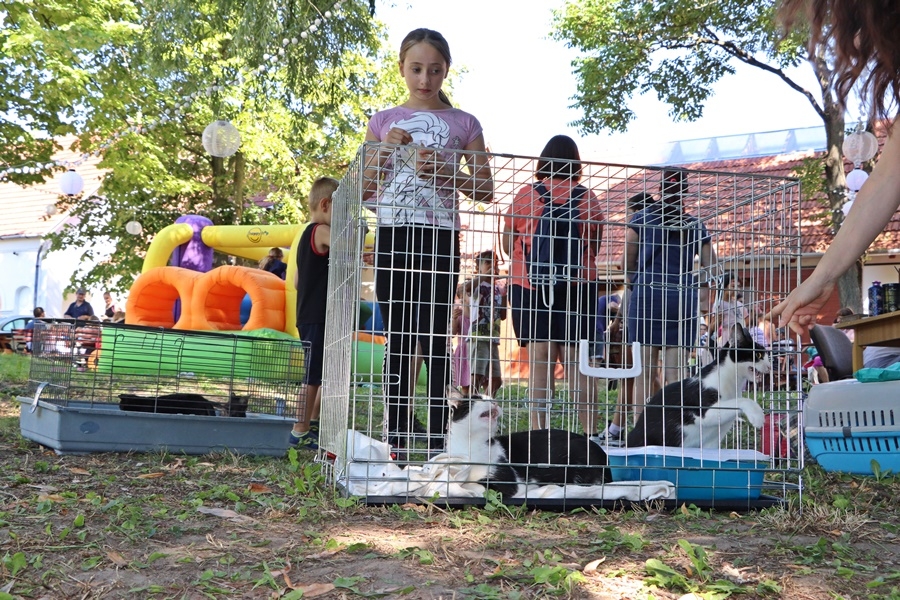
x=849 y=290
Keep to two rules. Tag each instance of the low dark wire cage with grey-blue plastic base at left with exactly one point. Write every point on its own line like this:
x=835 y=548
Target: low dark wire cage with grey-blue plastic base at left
x=97 y=386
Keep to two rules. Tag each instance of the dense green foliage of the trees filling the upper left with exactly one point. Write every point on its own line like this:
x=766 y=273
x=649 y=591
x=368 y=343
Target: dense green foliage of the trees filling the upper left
x=137 y=83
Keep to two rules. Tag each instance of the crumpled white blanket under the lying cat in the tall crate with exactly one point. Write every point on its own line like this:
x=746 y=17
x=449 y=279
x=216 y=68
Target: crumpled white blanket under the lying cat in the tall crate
x=370 y=472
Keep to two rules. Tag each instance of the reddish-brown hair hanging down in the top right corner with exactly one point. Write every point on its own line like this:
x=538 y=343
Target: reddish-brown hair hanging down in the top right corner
x=866 y=44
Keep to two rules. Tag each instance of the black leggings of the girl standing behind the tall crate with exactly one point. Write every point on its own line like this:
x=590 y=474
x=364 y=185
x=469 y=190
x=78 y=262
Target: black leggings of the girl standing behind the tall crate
x=416 y=270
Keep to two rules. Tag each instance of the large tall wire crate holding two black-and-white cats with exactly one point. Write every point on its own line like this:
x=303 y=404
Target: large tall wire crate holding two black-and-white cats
x=745 y=230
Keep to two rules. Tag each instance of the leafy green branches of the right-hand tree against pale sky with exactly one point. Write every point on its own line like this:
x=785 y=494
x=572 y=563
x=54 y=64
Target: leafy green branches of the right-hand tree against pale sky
x=676 y=49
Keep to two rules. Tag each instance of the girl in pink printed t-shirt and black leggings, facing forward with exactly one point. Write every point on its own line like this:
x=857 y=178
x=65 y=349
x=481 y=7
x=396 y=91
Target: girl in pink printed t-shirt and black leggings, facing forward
x=414 y=157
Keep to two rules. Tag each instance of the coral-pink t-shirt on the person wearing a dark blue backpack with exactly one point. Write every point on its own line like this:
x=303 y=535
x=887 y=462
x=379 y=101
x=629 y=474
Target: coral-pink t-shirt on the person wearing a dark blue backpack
x=524 y=213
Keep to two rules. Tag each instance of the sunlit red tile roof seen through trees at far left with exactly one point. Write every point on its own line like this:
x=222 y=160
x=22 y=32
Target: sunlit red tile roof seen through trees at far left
x=24 y=208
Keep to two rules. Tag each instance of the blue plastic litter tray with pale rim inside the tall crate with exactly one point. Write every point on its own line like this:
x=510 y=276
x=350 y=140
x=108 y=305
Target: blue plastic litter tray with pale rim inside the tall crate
x=698 y=475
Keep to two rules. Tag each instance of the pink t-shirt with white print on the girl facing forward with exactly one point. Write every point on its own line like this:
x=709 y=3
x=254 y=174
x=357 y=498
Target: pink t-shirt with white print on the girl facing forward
x=405 y=199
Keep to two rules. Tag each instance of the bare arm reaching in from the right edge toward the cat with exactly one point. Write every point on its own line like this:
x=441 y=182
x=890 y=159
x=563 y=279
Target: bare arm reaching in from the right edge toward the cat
x=872 y=210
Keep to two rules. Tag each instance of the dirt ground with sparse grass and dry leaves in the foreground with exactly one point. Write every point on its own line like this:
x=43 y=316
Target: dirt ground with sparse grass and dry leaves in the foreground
x=223 y=526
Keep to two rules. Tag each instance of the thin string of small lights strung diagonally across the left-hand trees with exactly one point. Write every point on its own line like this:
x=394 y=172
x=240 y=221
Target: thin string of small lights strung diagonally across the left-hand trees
x=181 y=104
